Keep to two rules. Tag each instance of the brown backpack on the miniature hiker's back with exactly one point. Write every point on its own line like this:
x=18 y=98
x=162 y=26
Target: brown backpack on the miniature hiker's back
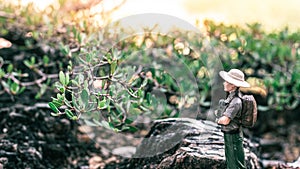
x=249 y=111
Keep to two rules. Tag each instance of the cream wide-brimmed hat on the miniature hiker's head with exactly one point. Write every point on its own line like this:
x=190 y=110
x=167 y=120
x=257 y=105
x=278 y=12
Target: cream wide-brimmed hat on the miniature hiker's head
x=235 y=77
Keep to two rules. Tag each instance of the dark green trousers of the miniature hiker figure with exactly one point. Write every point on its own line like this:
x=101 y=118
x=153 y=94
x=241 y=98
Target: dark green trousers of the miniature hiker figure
x=234 y=151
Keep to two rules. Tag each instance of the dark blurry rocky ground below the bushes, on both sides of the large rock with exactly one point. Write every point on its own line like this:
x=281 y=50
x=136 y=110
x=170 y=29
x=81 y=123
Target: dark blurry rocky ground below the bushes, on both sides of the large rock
x=31 y=138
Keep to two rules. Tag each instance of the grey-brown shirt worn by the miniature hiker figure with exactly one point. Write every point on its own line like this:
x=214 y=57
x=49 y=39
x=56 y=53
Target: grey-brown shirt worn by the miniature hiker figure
x=231 y=107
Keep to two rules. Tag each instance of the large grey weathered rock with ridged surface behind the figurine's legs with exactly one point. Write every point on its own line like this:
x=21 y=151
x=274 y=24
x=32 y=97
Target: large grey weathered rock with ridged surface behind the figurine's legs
x=183 y=143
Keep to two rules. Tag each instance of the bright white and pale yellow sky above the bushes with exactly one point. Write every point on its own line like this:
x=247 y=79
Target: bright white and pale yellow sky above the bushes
x=271 y=14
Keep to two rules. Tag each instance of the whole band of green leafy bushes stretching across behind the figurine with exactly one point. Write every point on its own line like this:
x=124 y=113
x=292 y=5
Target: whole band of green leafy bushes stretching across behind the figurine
x=94 y=76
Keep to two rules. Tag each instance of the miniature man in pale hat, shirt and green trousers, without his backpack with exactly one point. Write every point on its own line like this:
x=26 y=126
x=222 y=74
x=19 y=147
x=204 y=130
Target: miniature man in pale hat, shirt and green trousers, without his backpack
x=227 y=114
